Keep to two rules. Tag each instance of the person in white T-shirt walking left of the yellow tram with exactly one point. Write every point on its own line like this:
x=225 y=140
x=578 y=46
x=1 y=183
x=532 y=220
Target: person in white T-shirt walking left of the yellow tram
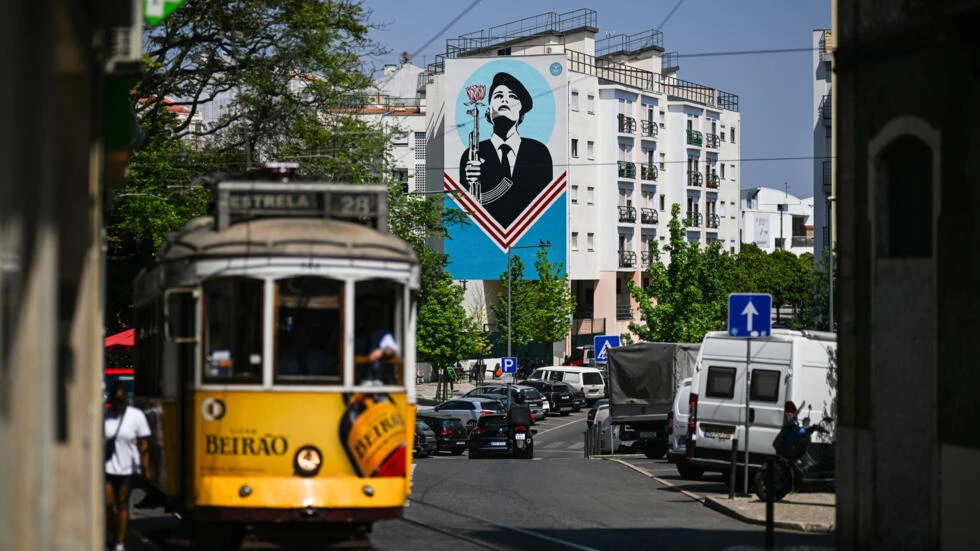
x=128 y=428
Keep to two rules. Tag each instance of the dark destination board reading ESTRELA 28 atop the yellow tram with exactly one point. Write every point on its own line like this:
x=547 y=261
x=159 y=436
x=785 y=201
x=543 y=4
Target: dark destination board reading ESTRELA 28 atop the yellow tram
x=242 y=201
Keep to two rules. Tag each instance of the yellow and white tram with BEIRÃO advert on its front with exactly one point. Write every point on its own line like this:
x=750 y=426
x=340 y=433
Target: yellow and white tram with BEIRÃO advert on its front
x=255 y=333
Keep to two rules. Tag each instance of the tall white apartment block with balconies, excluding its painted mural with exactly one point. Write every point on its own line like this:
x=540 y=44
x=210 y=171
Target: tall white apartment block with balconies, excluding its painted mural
x=639 y=140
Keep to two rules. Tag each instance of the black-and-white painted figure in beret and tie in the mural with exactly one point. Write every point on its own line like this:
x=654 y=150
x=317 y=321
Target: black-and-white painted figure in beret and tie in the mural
x=509 y=171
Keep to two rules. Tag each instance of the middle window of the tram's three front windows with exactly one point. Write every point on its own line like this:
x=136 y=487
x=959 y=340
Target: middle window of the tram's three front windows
x=309 y=330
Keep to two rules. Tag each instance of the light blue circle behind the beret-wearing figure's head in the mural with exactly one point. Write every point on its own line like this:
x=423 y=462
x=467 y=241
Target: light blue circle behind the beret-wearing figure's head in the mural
x=538 y=123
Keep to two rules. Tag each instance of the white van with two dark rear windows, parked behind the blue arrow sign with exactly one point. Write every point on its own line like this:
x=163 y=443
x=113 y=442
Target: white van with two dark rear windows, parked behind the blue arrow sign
x=787 y=369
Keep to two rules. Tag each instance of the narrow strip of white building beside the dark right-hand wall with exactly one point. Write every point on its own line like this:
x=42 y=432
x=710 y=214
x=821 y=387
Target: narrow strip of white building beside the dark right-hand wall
x=823 y=163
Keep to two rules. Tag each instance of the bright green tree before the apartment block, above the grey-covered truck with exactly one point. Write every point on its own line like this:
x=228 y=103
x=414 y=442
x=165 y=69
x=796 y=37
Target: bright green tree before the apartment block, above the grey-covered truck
x=684 y=299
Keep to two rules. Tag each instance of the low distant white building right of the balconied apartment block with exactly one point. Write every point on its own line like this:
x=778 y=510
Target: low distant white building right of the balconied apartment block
x=774 y=219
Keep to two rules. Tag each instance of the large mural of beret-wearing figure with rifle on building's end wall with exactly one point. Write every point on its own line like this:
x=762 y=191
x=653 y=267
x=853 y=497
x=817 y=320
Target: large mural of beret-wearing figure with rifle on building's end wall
x=505 y=159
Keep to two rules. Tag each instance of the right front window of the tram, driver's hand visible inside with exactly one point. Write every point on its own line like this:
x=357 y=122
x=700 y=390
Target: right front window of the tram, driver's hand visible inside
x=378 y=332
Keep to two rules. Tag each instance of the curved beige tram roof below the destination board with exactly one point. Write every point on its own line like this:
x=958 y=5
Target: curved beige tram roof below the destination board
x=295 y=237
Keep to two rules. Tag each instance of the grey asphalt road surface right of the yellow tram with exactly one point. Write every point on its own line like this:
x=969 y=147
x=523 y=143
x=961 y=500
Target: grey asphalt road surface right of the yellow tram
x=560 y=500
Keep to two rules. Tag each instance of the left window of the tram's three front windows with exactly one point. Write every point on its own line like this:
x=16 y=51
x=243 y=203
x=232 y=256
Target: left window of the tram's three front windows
x=233 y=326
